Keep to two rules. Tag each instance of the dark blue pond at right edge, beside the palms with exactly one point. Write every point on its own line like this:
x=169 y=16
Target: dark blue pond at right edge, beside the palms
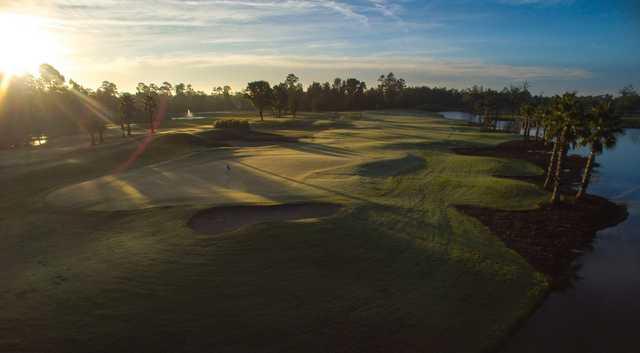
x=602 y=311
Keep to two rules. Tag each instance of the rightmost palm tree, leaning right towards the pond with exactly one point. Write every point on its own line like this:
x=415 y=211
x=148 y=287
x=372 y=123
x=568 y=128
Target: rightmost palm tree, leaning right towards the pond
x=599 y=130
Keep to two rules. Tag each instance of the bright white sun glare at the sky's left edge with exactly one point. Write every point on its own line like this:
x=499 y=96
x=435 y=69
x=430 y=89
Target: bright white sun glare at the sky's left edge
x=25 y=44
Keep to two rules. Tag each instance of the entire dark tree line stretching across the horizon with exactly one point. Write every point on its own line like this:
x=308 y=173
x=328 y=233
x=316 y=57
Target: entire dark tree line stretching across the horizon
x=49 y=105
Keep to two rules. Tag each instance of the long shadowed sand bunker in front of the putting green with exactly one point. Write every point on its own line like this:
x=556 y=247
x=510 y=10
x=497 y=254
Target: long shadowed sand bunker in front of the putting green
x=220 y=220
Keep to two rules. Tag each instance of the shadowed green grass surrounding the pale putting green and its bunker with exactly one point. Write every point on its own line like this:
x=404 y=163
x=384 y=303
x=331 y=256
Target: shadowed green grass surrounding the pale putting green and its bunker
x=399 y=269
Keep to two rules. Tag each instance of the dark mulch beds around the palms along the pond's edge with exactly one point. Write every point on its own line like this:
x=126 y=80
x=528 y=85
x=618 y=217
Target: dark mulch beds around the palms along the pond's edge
x=549 y=237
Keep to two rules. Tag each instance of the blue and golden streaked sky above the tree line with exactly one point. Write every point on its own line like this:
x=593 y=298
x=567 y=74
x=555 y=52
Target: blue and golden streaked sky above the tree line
x=591 y=46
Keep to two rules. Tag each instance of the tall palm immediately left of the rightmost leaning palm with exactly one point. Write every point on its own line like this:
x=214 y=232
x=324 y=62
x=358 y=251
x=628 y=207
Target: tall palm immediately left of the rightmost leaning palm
x=569 y=113
